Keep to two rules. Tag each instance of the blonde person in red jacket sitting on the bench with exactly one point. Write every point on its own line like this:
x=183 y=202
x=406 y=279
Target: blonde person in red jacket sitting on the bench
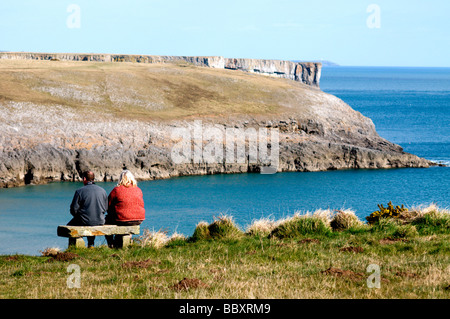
x=125 y=204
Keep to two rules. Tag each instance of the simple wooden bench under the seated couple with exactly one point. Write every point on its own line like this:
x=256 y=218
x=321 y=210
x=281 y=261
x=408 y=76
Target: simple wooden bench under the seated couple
x=76 y=233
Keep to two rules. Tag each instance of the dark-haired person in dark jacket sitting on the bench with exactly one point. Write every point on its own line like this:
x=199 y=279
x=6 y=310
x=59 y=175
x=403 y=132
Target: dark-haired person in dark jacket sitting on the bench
x=89 y=205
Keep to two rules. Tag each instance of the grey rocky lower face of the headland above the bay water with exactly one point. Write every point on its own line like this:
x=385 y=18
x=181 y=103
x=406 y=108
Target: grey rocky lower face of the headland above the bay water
x=63 y=151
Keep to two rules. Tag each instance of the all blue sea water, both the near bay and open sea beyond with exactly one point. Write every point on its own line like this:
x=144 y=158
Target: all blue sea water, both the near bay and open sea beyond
x=409 y=106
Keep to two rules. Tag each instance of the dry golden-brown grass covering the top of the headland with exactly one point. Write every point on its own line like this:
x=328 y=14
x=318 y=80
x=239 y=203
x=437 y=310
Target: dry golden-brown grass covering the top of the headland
x=148 y=91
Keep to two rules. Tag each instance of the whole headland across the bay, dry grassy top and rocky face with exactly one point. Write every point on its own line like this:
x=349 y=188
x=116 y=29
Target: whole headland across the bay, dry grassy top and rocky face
x=58 y=118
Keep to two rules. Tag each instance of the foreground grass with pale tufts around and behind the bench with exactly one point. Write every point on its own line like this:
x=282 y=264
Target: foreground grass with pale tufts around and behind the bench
x=222 y=261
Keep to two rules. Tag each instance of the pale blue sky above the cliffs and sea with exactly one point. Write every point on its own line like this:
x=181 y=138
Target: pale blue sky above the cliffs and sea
x=410 y=33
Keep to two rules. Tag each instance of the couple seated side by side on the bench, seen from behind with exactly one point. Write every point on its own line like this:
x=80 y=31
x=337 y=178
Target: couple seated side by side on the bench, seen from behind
x=124 y=205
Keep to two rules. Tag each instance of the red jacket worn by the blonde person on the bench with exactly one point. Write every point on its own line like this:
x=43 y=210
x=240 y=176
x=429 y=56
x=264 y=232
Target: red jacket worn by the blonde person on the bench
x=126 y=203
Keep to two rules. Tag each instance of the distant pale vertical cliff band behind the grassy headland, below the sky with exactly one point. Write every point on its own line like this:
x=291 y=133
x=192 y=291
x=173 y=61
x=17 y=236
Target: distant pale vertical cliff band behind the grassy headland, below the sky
x=304 y=72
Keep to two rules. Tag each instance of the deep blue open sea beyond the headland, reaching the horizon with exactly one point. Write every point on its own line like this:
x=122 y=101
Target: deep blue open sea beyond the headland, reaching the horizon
x=409 y=106
